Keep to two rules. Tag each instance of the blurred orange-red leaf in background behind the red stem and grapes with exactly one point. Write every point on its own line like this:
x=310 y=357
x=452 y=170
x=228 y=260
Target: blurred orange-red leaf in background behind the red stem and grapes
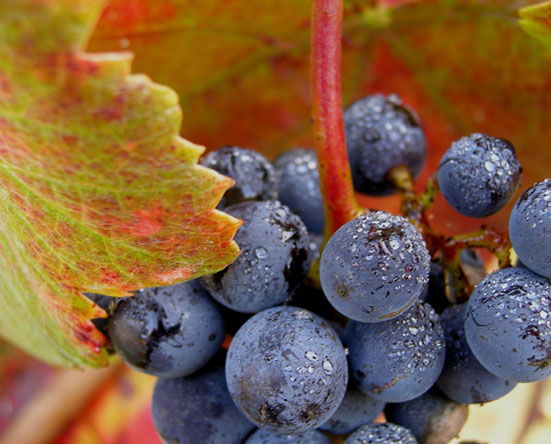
x=464 y=65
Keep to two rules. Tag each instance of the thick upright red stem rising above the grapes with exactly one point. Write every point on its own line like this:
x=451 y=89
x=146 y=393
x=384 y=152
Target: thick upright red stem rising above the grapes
x=340 y=204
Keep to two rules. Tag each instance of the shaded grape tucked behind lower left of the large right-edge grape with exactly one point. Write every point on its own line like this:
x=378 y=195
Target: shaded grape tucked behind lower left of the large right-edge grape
x=463 y=378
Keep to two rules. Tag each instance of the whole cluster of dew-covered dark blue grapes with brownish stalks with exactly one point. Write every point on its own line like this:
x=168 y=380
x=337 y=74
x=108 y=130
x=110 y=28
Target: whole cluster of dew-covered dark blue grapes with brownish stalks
x=400 y=327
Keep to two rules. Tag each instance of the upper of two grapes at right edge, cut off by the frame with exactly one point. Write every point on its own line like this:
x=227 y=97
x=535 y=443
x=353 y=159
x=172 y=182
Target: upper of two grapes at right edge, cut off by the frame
x=530 y=228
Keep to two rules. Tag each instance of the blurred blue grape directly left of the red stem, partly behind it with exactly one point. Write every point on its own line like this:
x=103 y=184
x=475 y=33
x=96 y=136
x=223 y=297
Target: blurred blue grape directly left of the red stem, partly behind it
x=298 y=186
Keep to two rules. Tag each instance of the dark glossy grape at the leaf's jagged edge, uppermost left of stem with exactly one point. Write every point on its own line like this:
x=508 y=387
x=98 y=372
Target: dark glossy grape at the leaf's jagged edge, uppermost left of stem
x=253 y=174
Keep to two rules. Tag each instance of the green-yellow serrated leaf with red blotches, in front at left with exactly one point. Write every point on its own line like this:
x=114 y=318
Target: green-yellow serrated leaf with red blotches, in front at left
x=98 y=193
